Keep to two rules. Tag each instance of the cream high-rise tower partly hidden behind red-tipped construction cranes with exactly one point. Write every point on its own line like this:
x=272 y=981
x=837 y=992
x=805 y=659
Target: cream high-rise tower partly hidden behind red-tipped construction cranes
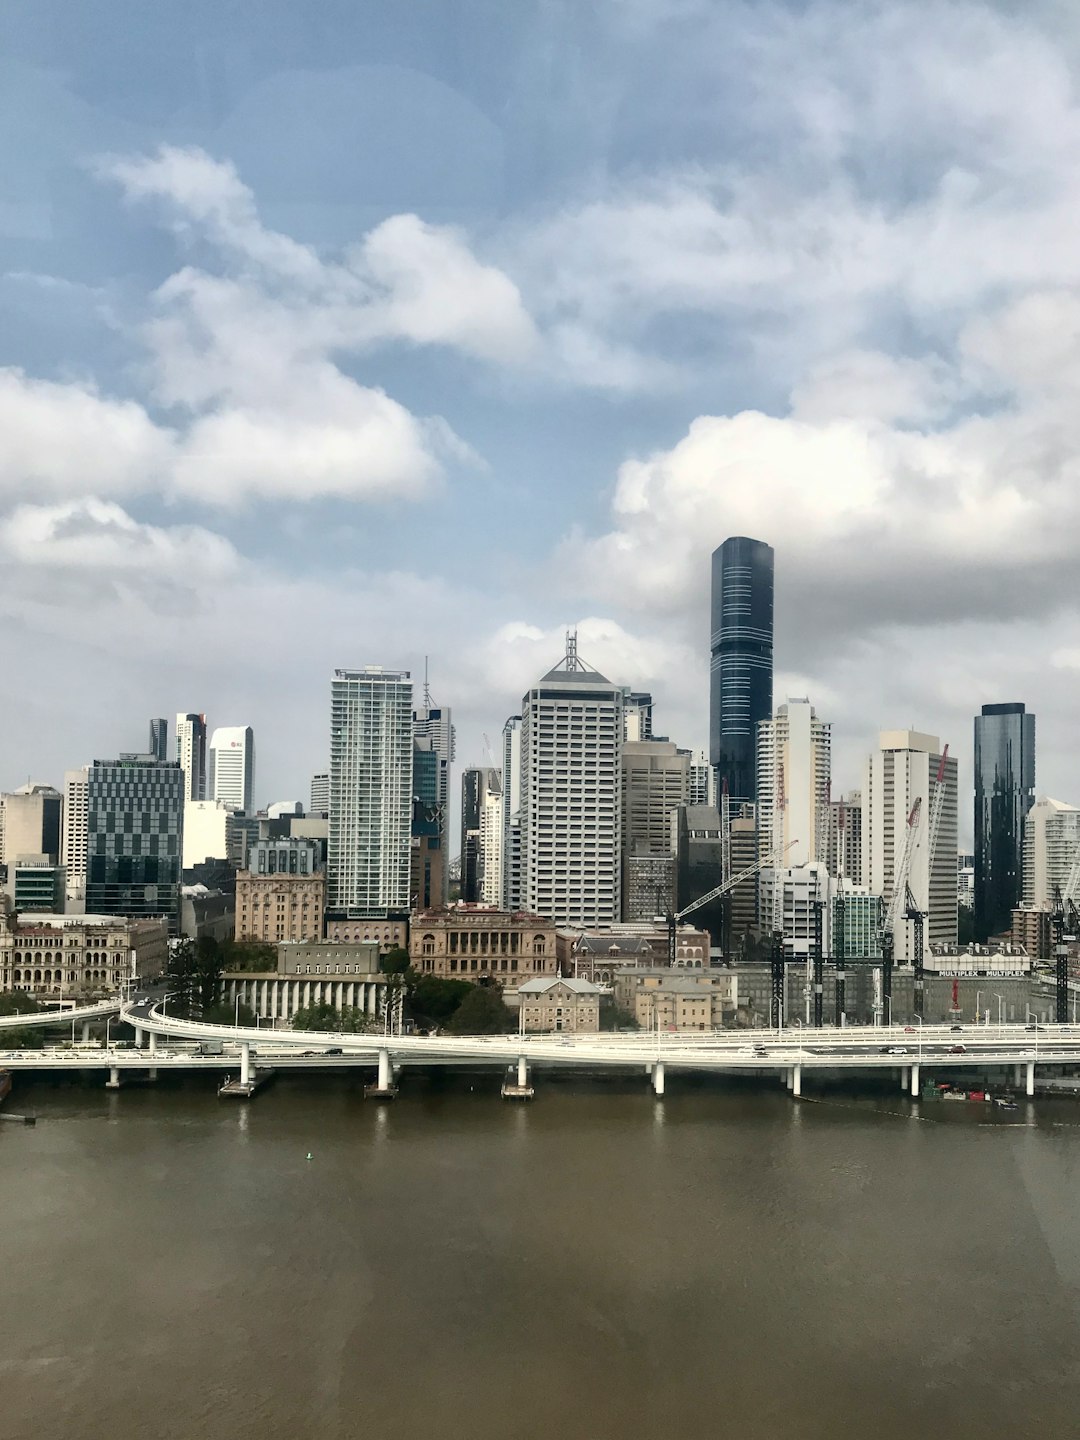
x=902 y=771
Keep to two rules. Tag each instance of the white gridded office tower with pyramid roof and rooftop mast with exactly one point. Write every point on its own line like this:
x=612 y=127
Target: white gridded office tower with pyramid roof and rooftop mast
x=571 y=814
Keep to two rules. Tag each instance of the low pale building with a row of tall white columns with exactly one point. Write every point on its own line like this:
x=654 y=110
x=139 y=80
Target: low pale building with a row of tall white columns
x=310 y=974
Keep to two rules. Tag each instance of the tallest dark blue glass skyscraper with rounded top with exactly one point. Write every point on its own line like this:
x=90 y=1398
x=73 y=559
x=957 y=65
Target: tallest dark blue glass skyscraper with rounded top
x=741 y=683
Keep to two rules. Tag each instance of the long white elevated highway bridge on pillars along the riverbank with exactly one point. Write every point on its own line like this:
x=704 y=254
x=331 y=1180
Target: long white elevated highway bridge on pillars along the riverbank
x=163 y=1042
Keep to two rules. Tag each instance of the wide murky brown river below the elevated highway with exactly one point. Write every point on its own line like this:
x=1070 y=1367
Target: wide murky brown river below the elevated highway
x=725 y=1262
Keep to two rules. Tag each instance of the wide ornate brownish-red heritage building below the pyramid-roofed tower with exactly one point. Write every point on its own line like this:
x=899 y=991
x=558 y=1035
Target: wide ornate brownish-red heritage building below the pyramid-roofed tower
x=477 y=942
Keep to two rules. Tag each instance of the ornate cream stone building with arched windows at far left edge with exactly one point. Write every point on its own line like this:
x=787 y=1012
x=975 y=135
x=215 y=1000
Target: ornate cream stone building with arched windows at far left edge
x=80 y=957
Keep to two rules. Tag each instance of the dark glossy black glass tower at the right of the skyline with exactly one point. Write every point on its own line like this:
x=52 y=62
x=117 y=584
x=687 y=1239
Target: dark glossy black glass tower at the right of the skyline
x=1004 y=794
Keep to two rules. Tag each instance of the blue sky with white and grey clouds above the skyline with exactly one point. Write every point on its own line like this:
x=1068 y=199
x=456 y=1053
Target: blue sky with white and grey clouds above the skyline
x=348 y=333
